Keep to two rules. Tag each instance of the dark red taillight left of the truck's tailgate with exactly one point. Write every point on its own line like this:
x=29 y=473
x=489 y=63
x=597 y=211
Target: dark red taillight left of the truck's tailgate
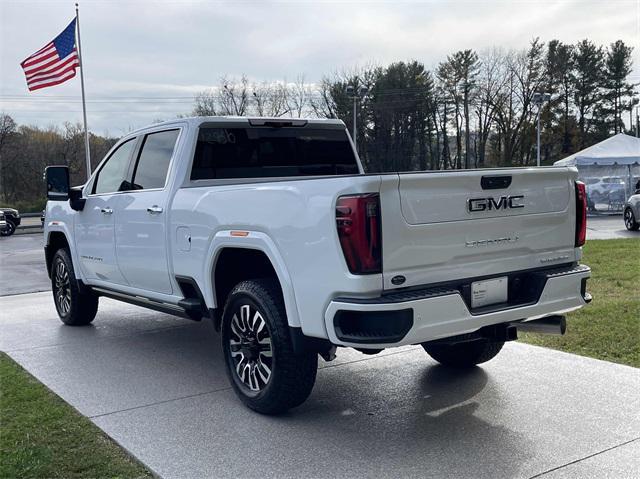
x=358 y=223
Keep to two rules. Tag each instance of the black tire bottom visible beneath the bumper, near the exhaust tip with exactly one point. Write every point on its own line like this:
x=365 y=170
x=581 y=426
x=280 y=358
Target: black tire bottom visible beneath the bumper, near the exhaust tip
x=464 y=355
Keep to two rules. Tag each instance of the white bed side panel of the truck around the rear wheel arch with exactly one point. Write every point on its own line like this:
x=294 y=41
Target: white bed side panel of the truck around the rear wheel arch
x=292 y=221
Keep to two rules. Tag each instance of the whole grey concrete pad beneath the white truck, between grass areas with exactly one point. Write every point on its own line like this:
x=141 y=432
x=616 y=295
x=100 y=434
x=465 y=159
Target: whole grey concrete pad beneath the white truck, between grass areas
x=157 y=386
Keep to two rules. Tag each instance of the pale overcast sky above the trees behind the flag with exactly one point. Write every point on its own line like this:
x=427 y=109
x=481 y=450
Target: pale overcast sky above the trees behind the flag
x=170 y=50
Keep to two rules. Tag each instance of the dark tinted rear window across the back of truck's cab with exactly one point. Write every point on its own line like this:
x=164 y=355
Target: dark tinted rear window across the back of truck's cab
x=272 y=152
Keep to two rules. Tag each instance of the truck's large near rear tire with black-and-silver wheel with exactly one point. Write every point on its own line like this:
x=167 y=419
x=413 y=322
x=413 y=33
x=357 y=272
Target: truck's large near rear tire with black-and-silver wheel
x=258 y=307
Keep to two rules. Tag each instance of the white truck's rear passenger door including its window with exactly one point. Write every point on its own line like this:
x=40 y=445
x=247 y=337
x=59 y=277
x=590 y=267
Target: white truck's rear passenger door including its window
x=141 y=222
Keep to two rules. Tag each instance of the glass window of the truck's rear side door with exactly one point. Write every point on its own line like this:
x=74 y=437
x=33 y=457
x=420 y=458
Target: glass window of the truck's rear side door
x=153 y=161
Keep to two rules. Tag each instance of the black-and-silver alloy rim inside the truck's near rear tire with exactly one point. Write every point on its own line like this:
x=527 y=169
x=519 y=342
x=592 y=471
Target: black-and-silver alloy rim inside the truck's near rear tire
x=250 y=347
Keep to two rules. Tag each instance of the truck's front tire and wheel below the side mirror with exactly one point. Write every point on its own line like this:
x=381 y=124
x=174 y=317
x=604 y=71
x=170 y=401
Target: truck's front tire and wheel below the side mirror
x=75 y=307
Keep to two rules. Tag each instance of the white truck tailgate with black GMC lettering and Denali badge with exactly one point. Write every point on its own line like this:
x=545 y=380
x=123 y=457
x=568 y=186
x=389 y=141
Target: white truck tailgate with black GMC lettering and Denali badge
x=445 y=226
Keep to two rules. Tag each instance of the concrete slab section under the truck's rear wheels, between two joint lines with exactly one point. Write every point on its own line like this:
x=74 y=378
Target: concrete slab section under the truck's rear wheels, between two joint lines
x=400 y=416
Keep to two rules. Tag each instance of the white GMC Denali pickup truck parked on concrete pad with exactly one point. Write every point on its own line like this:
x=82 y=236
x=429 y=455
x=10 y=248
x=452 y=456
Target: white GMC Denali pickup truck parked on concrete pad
x=270 y=228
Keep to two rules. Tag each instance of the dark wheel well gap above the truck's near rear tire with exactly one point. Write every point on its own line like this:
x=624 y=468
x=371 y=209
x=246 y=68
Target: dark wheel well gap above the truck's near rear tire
x=239 y=264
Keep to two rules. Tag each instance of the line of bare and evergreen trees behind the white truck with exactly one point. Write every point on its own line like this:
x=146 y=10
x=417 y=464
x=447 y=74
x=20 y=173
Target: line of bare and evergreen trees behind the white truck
x=472 y=110
